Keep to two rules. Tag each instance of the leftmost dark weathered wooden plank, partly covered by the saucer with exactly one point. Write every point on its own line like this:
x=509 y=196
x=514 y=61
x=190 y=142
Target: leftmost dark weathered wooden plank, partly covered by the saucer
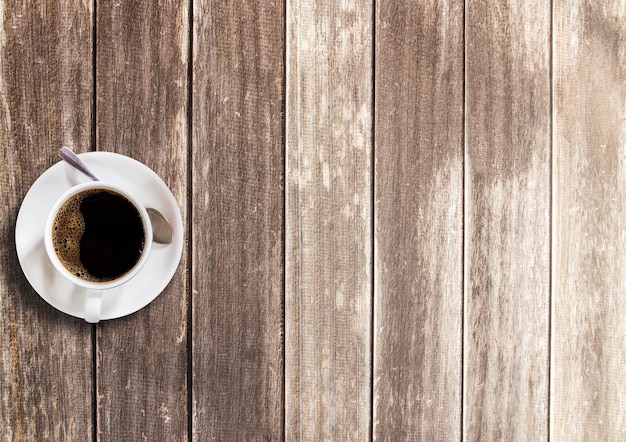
x=45 y=101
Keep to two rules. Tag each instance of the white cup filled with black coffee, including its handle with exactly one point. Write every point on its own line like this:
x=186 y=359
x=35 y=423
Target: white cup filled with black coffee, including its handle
x=98 y=236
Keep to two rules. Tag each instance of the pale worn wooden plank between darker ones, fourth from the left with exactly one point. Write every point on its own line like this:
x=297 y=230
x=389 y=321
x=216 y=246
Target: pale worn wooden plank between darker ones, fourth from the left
x=329 y=217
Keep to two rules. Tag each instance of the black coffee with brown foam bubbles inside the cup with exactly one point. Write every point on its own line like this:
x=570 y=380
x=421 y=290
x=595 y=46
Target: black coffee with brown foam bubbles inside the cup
x=98 y=235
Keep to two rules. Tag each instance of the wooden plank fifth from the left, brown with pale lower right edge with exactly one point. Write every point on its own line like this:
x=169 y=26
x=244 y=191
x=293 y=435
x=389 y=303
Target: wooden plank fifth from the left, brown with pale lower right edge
x=419 y=221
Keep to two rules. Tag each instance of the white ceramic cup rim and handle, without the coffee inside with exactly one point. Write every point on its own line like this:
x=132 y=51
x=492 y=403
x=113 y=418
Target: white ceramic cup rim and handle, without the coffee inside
x=94 y=290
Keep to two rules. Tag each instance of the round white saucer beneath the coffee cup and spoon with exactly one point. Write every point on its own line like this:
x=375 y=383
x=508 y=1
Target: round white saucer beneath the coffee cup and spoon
x=142 y=182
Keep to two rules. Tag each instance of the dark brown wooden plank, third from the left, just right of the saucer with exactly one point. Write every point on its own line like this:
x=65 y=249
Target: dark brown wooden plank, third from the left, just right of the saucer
x=238 y=220
